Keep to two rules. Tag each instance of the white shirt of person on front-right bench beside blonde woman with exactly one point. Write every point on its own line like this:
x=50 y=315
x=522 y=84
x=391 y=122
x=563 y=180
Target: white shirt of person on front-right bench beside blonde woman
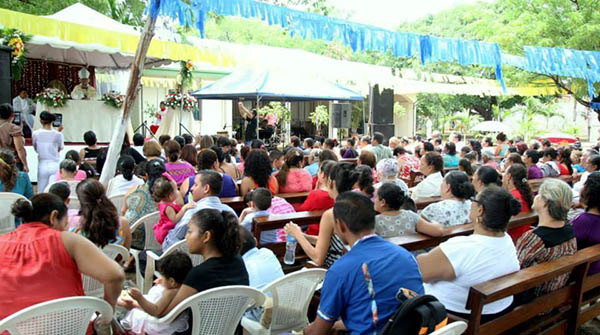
x=475 y=260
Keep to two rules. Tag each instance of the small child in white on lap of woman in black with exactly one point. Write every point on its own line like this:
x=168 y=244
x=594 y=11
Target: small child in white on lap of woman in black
x=173 y=270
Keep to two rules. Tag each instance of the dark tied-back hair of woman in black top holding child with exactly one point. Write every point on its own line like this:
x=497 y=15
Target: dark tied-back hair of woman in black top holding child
x=224 y=228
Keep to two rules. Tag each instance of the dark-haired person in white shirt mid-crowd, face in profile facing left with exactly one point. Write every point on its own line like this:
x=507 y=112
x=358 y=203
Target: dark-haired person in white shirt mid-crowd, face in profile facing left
x=432 y=165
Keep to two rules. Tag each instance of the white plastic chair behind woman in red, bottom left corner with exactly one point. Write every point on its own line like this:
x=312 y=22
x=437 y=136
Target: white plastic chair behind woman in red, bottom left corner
x=66 y=316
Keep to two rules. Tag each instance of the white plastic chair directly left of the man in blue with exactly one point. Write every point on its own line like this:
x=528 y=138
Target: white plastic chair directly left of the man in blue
x=291 y=296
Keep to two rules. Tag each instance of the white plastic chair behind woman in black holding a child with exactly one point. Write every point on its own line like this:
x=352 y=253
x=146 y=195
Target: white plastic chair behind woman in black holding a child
x=217 y=311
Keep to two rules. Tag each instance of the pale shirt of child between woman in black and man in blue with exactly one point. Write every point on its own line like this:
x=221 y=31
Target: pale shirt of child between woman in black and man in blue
x=262 y=266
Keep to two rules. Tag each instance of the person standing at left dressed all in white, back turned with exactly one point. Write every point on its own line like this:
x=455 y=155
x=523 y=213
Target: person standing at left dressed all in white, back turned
x=48 y=143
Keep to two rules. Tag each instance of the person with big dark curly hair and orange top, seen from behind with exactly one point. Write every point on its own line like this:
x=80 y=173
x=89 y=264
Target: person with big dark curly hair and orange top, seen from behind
x=257 y=173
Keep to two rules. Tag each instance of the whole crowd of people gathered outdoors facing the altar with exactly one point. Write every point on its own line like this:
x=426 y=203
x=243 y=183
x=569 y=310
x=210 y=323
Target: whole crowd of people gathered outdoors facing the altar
x=360 y=184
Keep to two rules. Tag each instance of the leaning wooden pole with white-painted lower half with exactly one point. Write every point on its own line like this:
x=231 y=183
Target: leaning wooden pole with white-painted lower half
x=114 y=149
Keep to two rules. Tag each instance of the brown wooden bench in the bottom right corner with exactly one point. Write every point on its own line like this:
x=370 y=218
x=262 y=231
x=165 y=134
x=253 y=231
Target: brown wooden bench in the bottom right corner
x=565 y=304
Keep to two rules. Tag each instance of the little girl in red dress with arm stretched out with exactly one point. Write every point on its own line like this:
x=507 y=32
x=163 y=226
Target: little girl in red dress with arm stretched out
x=165 y=192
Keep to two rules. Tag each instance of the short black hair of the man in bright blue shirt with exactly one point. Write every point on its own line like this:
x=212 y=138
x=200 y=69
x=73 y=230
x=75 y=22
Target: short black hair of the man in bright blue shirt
x=355 y=210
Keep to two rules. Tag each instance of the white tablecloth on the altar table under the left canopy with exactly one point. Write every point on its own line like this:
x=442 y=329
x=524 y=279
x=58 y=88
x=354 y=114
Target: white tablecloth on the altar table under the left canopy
x=80 y=116
